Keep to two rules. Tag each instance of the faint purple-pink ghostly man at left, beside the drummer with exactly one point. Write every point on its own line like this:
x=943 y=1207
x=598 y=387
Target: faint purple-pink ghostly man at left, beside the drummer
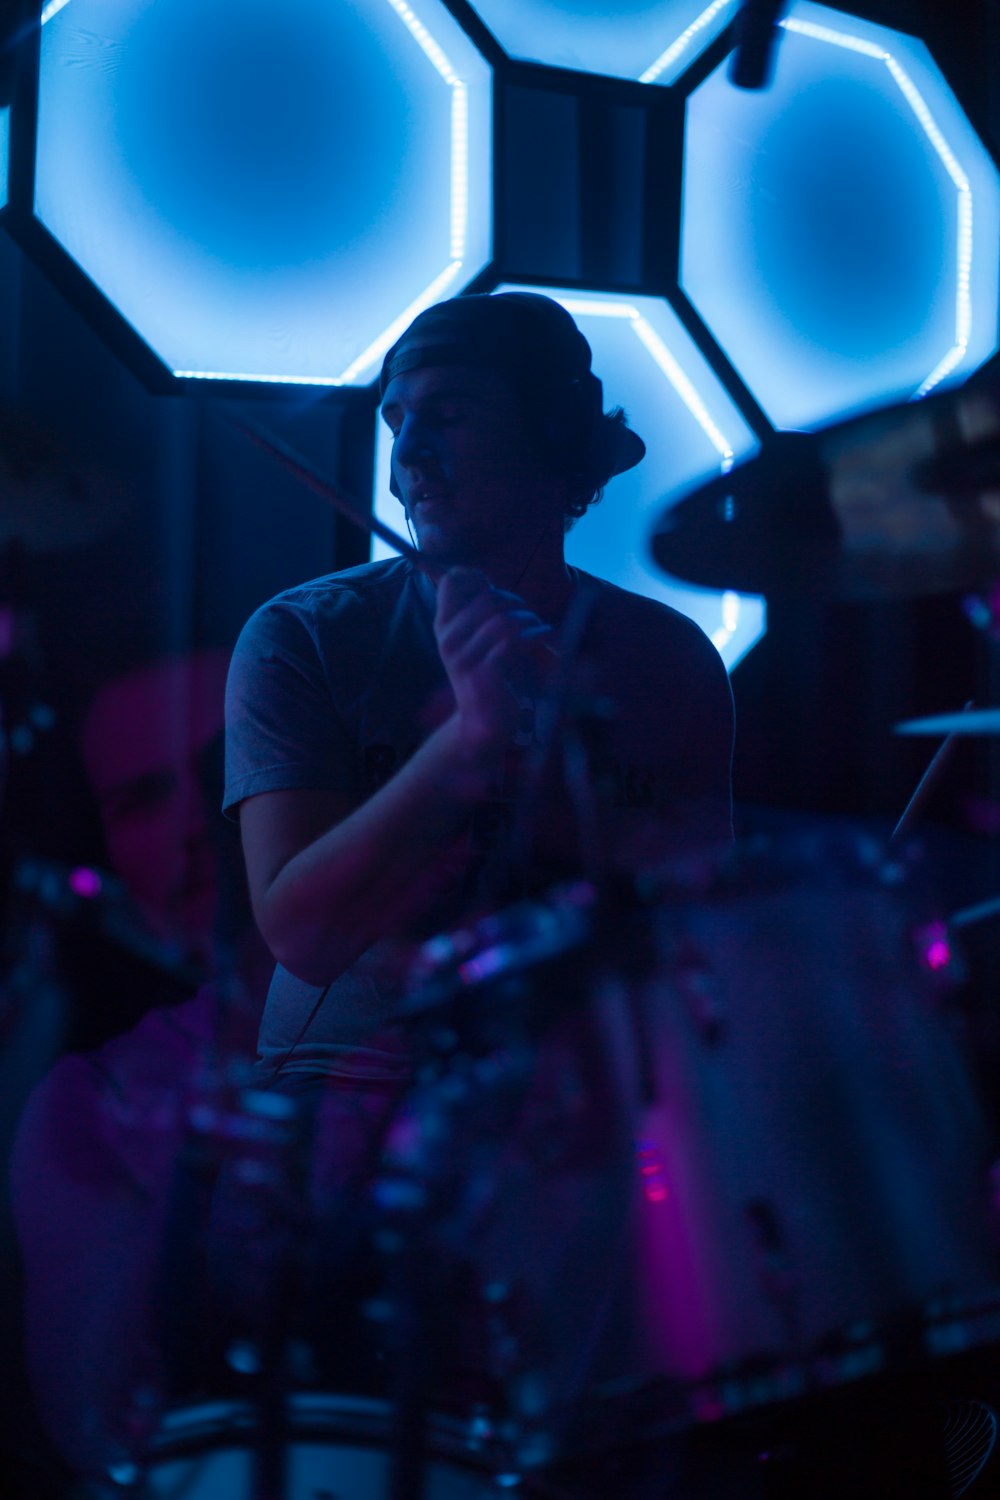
x=103 y=1138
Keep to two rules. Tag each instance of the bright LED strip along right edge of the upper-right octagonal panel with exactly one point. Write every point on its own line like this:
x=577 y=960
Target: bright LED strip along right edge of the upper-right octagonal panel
x=950 y=161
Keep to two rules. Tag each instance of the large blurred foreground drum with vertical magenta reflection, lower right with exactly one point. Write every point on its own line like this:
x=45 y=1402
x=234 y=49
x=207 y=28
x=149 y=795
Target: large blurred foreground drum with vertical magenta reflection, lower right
x=812 y=1157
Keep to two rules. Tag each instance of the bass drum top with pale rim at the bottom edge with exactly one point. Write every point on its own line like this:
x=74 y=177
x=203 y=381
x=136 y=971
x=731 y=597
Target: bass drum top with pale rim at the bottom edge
x=338 y=1450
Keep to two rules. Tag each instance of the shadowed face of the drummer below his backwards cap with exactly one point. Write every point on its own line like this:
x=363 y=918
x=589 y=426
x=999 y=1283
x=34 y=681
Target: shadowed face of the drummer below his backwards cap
x=467 y=466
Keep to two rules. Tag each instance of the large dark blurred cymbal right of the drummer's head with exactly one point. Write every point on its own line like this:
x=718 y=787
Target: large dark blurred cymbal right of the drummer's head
x=897 y=503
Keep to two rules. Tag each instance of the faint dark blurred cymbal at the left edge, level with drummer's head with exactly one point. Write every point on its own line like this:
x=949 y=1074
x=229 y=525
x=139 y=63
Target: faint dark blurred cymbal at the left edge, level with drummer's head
x=49 y=500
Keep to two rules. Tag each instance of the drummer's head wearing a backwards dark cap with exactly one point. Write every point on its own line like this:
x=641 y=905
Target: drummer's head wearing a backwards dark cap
x=497 y=395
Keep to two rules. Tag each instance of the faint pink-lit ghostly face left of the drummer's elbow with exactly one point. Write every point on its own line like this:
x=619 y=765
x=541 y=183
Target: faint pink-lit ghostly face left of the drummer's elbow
x=145 y=743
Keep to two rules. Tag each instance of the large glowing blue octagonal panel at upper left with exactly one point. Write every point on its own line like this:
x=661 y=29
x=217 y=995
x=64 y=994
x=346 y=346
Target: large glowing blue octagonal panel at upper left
x=266 y=191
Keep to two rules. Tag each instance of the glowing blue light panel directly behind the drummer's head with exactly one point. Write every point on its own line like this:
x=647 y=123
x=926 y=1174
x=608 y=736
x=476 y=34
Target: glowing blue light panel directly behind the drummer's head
x=692 y=430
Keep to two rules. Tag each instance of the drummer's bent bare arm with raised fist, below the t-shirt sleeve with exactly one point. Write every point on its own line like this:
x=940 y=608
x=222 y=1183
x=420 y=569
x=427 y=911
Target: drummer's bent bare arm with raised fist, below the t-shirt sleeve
x=328 y=881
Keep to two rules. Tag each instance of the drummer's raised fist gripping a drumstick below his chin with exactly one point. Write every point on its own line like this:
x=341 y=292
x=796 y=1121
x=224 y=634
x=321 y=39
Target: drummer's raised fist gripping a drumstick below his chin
x=494 y=649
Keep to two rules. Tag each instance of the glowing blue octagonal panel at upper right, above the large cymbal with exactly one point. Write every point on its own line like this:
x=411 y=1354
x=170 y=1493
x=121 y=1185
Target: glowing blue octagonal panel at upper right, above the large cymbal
x=842 y=229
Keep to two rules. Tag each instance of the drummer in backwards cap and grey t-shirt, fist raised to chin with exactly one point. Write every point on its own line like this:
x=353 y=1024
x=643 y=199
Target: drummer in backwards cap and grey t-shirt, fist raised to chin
x=376 y=718
